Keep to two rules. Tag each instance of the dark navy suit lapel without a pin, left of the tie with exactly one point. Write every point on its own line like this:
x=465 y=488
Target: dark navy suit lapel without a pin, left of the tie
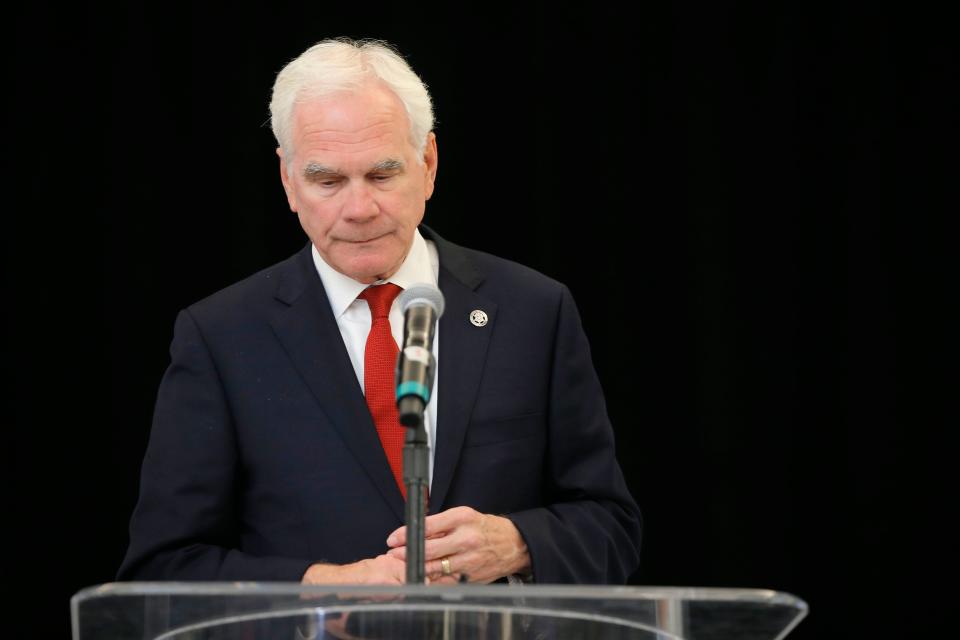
x=309 y=334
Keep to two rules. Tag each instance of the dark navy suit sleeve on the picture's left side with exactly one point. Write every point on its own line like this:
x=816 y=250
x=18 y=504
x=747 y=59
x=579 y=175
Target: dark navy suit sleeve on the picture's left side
x=185 y=525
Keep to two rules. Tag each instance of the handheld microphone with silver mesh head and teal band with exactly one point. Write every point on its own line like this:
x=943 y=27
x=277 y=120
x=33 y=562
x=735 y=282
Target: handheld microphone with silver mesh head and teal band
x=422 y=306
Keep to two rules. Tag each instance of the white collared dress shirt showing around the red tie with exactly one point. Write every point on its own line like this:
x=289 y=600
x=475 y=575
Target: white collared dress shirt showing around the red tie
x=422 y=264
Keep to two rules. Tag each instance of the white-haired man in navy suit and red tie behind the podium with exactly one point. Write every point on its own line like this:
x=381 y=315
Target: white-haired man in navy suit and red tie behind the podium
x=266 y=460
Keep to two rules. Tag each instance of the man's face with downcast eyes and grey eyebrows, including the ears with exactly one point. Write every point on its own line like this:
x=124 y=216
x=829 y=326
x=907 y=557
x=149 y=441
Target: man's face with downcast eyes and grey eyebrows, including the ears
x=356 y=182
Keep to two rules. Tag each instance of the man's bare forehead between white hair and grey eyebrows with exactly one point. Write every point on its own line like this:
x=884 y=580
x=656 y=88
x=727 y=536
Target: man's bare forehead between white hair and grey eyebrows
x=350 y=123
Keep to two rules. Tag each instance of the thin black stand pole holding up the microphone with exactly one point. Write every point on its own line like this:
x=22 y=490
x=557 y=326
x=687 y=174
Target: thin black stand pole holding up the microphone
x=416 y=478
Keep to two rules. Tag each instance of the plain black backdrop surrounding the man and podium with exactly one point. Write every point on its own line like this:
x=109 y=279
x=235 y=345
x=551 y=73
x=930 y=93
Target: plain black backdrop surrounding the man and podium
x=749 y=202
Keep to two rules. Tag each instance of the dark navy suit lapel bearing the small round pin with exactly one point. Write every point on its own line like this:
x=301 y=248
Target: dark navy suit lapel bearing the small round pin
x=463 y=351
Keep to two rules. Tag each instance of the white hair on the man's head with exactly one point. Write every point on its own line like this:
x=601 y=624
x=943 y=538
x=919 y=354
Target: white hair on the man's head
x=343 y=64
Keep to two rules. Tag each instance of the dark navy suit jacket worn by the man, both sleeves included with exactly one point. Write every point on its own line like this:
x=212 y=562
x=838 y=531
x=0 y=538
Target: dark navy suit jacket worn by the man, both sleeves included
x=263 y=457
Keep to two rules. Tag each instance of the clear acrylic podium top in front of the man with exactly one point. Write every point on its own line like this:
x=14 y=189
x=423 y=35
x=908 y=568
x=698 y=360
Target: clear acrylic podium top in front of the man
x=279 y=611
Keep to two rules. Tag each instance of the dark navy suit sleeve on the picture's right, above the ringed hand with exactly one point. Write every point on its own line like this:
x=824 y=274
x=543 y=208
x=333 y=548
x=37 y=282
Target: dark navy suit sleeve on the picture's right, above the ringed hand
x=589 y=530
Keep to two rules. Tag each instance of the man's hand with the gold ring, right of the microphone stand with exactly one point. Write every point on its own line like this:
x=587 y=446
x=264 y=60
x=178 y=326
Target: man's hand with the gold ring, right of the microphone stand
x=483 y=547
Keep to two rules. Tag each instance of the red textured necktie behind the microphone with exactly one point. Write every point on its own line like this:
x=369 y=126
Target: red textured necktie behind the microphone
x=379 y=364
